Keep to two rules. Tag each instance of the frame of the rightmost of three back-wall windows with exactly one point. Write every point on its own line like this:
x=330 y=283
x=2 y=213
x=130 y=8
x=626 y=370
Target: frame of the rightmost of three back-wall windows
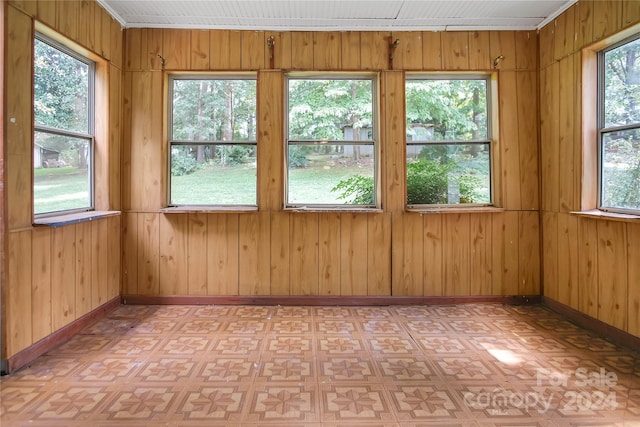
x=489 y=141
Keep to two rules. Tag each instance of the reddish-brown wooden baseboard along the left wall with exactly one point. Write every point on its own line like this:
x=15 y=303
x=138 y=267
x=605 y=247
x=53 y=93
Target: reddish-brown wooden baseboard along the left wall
x=24 y=357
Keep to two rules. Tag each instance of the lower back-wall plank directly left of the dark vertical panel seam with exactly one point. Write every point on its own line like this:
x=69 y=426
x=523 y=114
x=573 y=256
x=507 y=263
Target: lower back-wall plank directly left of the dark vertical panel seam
x=379 y=254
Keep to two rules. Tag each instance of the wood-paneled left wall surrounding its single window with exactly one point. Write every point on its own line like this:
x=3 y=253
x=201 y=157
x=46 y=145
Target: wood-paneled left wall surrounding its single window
x=53 y=276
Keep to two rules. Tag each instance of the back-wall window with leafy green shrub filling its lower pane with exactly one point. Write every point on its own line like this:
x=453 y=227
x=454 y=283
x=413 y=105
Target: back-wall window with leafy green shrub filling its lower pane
x=448 y=140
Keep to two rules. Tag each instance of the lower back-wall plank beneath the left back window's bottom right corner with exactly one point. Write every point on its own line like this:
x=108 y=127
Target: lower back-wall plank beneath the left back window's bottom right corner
x=254 y=262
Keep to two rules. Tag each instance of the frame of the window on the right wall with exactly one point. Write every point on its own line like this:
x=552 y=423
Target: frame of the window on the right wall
x=602 y=130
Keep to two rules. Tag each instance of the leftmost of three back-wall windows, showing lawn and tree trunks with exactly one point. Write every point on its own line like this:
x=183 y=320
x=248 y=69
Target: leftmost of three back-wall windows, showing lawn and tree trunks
x=212 y=139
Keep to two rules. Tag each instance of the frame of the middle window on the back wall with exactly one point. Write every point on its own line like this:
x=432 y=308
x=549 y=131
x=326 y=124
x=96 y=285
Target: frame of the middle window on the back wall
x=374 y=78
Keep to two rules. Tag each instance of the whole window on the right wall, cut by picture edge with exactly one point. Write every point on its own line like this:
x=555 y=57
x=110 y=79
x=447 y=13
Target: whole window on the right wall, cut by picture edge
x=619 y=127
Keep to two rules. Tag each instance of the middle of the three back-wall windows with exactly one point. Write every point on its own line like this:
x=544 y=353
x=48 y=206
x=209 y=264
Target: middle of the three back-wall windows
x=331 y=141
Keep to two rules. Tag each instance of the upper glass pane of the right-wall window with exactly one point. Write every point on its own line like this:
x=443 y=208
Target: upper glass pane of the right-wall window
x=622 y=85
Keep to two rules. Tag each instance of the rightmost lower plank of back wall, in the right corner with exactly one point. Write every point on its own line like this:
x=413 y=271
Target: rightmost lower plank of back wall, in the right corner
x=529 y=253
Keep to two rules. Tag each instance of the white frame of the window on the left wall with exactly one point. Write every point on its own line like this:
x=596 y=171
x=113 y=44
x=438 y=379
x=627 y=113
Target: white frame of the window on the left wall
x=90 y=136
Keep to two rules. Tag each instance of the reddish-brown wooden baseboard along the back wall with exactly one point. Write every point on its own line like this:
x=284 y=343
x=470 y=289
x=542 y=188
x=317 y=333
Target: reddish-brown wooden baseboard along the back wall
x=325 y=300
